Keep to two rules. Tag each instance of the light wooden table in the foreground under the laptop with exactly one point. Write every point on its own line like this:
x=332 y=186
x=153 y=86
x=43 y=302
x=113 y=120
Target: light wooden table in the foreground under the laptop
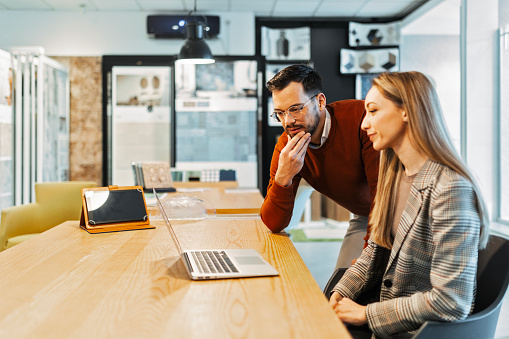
x=67 y=283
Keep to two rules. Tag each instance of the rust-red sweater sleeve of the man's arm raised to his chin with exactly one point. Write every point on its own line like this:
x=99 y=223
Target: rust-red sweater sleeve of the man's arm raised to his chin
x=277 y=209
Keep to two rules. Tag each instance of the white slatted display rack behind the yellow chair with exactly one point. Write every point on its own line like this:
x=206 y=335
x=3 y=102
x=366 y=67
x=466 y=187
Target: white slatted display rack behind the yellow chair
x=40 y=105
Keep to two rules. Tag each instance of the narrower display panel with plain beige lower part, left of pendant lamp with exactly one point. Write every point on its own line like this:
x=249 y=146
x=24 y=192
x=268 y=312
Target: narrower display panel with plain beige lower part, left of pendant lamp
x=140 y=119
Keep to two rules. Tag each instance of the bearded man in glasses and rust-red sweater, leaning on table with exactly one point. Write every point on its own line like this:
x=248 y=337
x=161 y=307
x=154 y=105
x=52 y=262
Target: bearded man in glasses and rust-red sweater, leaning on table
x=324 y=145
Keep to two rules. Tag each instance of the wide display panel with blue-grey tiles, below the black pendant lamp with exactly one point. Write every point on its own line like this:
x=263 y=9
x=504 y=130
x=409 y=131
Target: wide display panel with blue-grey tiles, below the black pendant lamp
x=216 y=118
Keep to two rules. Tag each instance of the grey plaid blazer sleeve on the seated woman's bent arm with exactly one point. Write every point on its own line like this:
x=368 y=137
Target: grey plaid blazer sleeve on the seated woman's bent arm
x=455 y=228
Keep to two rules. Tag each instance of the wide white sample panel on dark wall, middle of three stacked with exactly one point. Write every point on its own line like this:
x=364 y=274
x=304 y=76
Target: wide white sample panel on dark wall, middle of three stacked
x=369 y=60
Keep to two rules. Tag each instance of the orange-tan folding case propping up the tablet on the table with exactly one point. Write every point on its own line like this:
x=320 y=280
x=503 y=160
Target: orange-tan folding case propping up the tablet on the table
x=114 y=226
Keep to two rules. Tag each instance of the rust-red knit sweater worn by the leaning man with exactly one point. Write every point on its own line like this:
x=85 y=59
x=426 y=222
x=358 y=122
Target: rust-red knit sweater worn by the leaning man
x=344 y=168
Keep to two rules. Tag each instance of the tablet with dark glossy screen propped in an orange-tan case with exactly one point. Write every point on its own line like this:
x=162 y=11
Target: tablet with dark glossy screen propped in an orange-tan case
x=105 y=207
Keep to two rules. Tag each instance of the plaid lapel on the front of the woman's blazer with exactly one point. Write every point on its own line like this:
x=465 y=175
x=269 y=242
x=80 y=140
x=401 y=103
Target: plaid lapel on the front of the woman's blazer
x=422 y=180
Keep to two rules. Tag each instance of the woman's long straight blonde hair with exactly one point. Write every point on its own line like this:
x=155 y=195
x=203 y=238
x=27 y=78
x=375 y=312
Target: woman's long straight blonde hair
x=414 y=93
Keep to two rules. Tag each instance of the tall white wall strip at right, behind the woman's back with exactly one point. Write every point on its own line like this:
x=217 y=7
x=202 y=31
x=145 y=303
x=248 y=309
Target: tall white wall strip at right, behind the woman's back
x=482 y=106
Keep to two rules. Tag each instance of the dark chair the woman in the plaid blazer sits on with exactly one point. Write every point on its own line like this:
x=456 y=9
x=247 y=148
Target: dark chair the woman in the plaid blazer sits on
x=492 y=283
